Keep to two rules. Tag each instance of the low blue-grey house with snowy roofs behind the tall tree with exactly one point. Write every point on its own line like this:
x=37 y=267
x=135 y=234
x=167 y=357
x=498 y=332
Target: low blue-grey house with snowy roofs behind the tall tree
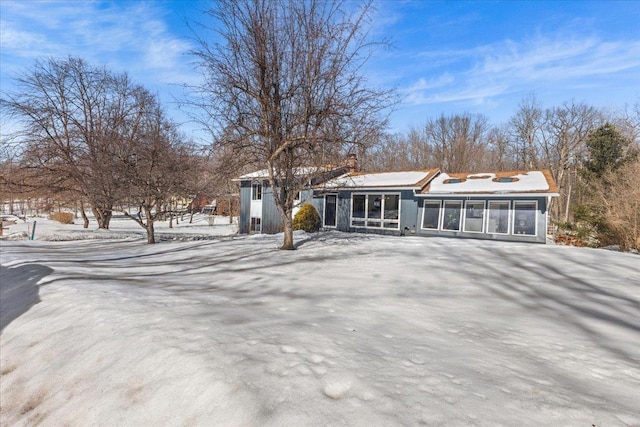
x=511 y=206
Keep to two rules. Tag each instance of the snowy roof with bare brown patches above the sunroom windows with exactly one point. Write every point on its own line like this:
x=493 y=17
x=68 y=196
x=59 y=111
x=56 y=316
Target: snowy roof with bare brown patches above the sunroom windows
x=493 y=182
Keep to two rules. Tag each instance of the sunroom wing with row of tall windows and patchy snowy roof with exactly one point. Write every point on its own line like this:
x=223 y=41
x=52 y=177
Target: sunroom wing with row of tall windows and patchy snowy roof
x=504 y=206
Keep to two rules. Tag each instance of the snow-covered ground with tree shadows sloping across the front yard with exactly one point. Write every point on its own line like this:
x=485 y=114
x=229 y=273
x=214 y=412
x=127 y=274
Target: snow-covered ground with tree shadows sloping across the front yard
x=349 y=329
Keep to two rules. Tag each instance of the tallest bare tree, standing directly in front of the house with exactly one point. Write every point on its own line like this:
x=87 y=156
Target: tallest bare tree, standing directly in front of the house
x=285 y=83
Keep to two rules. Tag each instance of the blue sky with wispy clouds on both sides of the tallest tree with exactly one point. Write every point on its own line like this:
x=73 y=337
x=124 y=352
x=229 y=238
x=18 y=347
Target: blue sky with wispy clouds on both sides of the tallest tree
x=447 y=56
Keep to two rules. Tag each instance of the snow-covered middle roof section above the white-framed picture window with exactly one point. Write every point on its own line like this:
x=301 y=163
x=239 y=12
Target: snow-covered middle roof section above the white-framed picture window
x=383 y=179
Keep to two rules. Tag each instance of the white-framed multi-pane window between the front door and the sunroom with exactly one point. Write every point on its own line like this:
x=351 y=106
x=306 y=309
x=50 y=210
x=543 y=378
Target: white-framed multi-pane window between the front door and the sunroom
x=375 y=210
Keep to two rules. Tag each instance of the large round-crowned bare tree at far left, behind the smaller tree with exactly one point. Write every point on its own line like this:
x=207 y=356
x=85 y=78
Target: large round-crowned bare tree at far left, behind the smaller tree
x=73 y=116
